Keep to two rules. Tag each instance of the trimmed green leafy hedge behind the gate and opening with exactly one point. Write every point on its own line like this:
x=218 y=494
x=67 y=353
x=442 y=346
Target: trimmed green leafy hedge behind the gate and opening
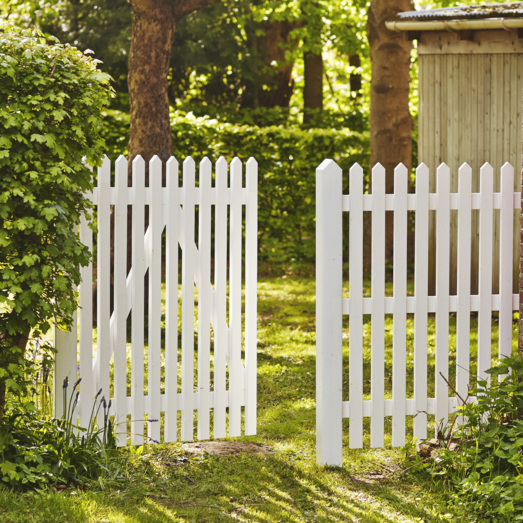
x=287 y=159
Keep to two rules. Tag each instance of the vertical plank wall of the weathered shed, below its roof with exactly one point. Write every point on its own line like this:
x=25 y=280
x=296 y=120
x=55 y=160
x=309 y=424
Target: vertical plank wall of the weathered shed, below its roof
x=470 y=111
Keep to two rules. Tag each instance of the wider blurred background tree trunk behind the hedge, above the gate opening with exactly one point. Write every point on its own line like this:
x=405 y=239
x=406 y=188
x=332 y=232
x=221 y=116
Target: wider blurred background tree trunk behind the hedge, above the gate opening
x=277 y=79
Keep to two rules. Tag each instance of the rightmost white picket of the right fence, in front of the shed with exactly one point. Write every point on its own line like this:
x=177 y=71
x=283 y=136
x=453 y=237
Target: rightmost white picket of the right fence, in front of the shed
x=506 y=257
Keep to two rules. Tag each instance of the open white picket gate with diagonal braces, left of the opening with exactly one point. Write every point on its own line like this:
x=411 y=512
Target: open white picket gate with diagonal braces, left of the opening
x=171 y=209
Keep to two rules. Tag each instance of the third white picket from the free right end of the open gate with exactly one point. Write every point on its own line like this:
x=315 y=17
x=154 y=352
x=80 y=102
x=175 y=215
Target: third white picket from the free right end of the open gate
x=221 y=336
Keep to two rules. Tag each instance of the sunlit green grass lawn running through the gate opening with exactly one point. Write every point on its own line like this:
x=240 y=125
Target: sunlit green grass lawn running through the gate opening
x=165 y=483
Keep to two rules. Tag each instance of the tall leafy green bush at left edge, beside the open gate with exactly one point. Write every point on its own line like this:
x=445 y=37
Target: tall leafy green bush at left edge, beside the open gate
x=51 y=97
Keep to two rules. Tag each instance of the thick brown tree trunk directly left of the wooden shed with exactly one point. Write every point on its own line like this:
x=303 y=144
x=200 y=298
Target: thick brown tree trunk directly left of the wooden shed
x=390 y=120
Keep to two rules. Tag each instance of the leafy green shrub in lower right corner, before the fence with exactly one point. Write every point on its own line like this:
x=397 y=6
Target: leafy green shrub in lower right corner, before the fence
x=485 y=470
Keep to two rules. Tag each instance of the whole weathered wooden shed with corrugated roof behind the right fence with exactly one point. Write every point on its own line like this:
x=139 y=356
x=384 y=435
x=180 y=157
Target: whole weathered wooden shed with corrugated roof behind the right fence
x=470 y=98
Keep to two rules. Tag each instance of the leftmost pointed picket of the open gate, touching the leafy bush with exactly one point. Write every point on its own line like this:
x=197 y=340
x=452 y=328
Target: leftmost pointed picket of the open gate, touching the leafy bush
x=103 y=271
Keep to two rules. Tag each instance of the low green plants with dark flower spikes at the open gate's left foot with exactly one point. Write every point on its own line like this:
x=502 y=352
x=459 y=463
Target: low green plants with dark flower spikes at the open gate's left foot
x=41 y=451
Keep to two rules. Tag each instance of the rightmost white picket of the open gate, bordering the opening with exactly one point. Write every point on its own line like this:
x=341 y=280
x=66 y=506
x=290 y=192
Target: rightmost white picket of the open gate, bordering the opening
x=251 y=279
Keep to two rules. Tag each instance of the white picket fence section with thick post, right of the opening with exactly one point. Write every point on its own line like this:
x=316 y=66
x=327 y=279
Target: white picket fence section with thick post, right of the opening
x=331 y=305
